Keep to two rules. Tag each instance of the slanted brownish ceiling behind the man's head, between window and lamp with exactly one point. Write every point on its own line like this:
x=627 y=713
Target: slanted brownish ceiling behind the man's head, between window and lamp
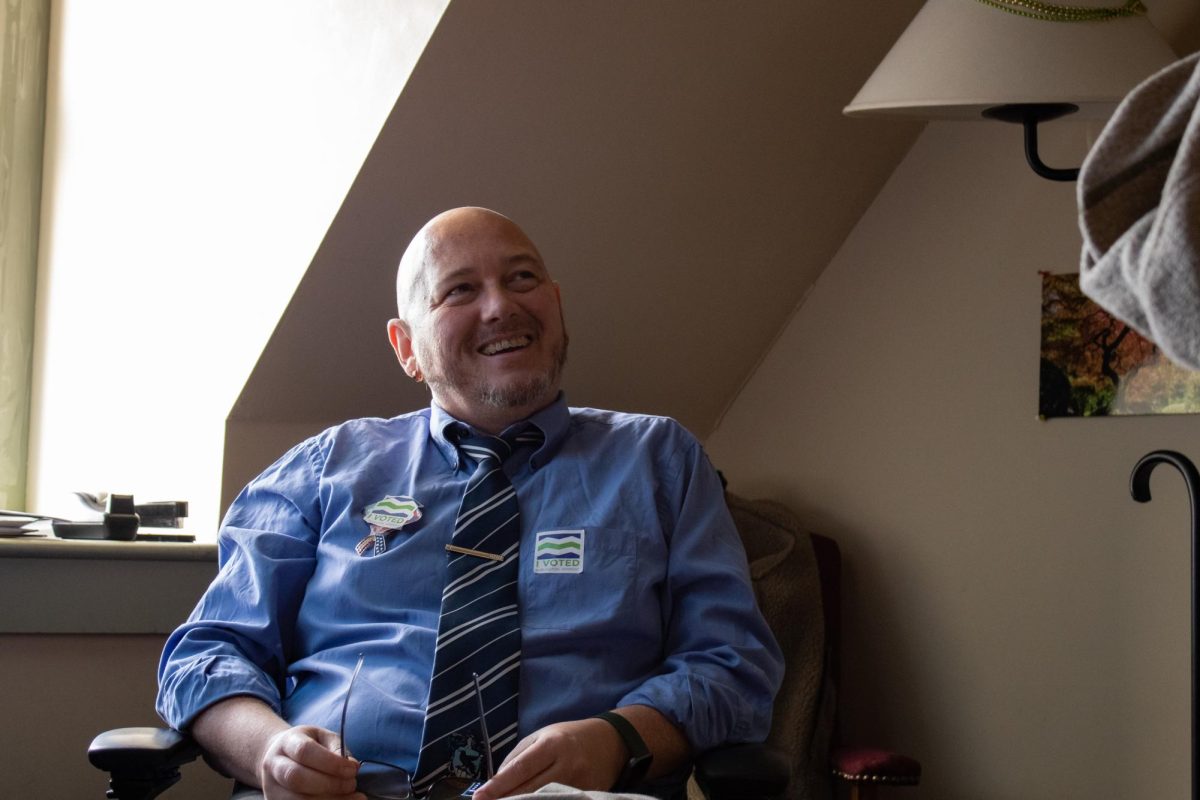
x=685 y=167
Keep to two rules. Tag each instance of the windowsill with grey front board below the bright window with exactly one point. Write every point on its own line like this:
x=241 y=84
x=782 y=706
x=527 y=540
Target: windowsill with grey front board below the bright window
x=52 y=586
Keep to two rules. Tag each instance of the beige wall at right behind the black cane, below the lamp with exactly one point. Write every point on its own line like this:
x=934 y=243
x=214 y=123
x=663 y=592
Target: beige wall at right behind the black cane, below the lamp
x=1013 y=618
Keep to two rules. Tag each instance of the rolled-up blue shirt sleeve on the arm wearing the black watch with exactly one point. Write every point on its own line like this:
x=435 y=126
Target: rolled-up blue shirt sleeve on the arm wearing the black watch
x=723 y=666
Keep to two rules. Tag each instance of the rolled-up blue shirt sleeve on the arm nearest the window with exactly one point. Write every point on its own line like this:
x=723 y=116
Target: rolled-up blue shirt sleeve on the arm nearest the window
x=239 y=640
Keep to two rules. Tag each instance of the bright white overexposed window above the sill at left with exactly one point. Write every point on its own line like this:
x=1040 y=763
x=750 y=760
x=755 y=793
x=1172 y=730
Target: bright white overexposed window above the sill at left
x=196 y=155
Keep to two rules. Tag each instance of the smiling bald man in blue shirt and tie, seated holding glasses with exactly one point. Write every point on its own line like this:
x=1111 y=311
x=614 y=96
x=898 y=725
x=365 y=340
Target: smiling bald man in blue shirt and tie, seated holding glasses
x=323 y=585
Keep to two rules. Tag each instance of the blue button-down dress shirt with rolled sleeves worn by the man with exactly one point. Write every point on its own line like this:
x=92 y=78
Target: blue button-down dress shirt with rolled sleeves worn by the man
x=662 y=612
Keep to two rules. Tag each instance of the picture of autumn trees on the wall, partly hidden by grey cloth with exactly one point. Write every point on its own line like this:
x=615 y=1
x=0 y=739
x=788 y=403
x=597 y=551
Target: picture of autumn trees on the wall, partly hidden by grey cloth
x=1095 y=365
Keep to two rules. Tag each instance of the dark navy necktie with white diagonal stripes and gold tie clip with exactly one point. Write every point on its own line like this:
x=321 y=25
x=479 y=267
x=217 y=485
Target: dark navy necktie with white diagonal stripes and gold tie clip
x=479 y=630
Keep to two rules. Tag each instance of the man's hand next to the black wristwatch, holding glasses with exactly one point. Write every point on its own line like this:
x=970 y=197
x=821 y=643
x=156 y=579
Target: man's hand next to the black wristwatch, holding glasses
x=585 y=755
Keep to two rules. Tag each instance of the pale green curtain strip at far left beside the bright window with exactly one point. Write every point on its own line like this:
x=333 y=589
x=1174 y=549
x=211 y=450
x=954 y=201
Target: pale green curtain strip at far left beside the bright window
x=23 y=51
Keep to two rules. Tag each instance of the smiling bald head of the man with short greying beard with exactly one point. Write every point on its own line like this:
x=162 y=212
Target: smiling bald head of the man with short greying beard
x=481 y=321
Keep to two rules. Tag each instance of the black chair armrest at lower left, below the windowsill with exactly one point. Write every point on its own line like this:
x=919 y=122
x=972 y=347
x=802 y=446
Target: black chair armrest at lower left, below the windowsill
x=142 y=762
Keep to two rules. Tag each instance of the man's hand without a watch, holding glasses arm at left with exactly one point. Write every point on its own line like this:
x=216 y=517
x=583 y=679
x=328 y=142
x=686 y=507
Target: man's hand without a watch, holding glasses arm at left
x=304 y=762
